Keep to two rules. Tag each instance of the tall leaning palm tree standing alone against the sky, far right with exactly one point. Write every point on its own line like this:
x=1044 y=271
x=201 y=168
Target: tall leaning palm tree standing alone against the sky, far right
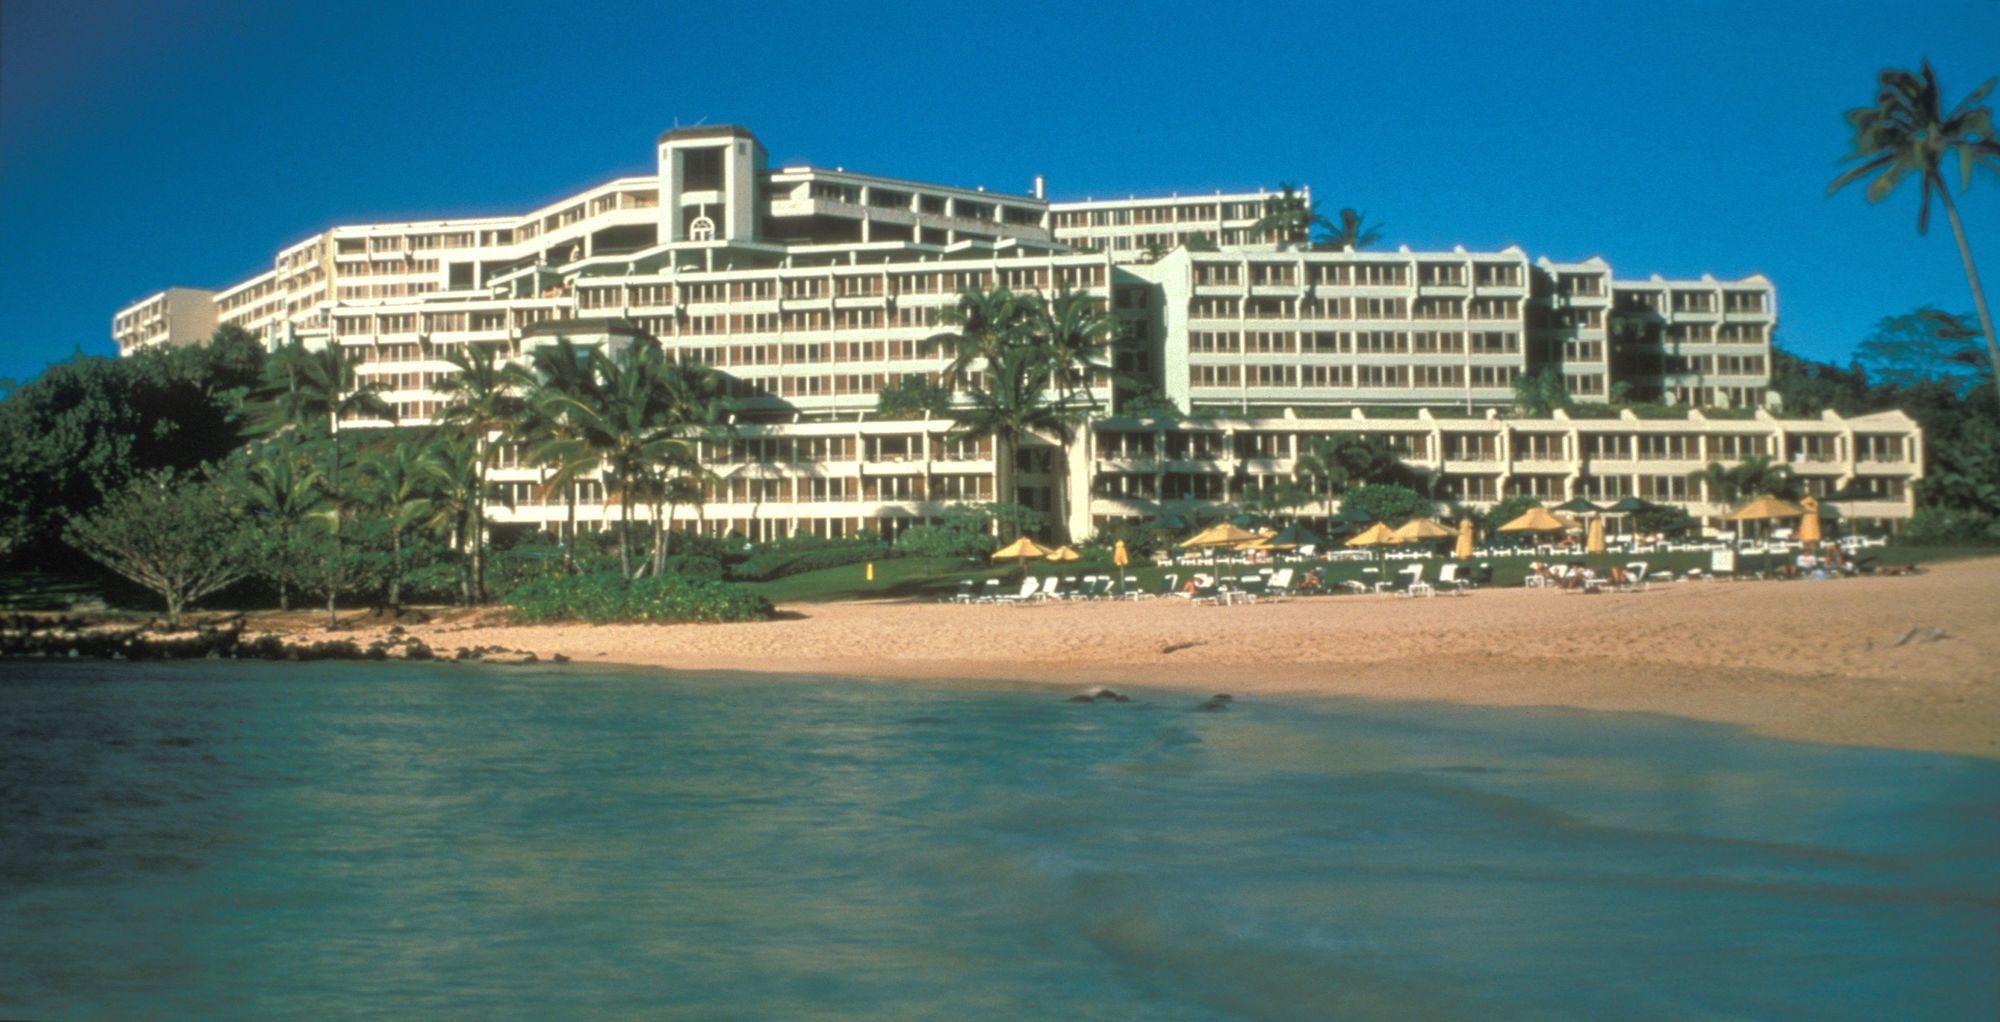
x=1907 y=131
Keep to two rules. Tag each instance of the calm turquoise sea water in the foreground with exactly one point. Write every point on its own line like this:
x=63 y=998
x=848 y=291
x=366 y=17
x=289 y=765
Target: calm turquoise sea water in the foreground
x=315 y=841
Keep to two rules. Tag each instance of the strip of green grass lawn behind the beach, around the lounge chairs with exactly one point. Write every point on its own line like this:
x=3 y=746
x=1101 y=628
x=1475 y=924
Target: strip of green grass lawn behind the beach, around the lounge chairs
x=937 y=581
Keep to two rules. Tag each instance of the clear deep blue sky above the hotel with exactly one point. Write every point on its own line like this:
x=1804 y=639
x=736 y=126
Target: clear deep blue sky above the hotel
x=183 y=143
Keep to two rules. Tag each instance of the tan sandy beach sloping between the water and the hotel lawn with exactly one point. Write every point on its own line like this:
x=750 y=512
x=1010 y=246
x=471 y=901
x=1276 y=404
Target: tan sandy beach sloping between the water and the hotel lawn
x=1901 y=663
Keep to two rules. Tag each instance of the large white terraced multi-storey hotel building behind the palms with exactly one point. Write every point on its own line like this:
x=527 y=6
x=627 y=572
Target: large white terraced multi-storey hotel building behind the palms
x=811 y=289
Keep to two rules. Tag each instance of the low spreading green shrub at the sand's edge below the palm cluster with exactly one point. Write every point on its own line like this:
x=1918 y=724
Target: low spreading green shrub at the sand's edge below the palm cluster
x=603 y=599
